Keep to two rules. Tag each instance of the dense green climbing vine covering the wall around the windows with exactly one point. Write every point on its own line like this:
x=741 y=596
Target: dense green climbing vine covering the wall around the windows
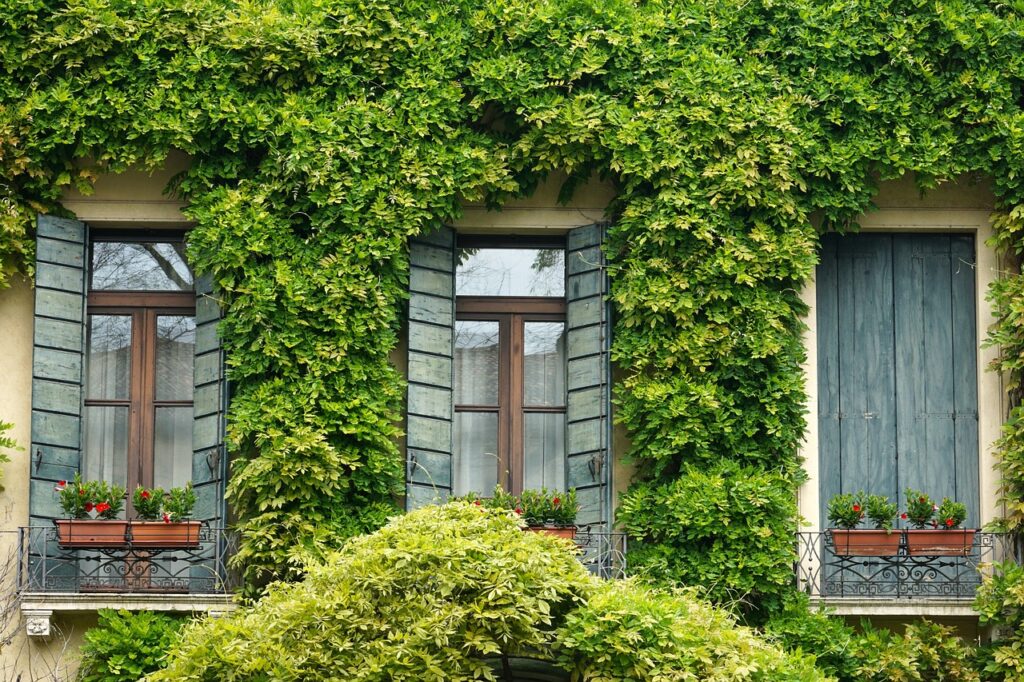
x=325 y=133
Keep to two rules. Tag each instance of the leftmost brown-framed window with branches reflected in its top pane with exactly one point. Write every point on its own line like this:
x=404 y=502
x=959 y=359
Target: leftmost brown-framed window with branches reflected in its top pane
x=141 y=338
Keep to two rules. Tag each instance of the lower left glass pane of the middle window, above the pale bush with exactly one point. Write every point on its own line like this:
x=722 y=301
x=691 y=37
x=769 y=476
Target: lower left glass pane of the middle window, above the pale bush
x=476 y=463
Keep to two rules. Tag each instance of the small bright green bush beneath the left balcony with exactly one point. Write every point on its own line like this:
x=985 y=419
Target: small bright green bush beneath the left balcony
x=127 y=646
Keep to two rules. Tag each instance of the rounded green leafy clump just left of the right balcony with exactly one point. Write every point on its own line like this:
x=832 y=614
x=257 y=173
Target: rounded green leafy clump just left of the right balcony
x=729 y=529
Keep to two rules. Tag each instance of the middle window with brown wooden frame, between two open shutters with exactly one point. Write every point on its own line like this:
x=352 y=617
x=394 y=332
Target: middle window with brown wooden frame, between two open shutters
x=509 y=368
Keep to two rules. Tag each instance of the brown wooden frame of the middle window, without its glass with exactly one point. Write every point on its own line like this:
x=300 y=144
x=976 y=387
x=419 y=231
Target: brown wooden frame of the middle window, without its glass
x=511 y=314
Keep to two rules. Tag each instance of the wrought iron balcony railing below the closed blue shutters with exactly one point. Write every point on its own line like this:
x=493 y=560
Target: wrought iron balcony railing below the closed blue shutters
x=824 y=572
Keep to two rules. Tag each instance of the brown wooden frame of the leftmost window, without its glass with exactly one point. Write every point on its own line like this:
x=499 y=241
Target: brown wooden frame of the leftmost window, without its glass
x=144 y=308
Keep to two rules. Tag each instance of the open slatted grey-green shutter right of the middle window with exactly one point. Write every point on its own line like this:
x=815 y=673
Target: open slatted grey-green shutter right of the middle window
x=588 y=407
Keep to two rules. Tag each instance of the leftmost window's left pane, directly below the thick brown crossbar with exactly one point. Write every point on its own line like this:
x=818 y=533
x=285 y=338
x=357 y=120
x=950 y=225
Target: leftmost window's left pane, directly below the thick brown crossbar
x=110 y=358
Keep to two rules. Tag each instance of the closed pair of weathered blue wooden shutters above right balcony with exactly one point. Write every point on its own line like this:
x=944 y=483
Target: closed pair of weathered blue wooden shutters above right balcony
x=898 y=367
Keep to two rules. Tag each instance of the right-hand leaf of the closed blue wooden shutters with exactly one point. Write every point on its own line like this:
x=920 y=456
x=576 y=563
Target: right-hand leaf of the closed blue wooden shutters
x=936 y=368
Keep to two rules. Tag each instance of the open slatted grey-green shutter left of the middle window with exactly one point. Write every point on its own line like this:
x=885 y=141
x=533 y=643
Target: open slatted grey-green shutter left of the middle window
x=432 y=318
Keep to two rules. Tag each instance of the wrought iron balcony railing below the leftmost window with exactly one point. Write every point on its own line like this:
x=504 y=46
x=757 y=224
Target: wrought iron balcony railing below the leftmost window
x=200 y=569
